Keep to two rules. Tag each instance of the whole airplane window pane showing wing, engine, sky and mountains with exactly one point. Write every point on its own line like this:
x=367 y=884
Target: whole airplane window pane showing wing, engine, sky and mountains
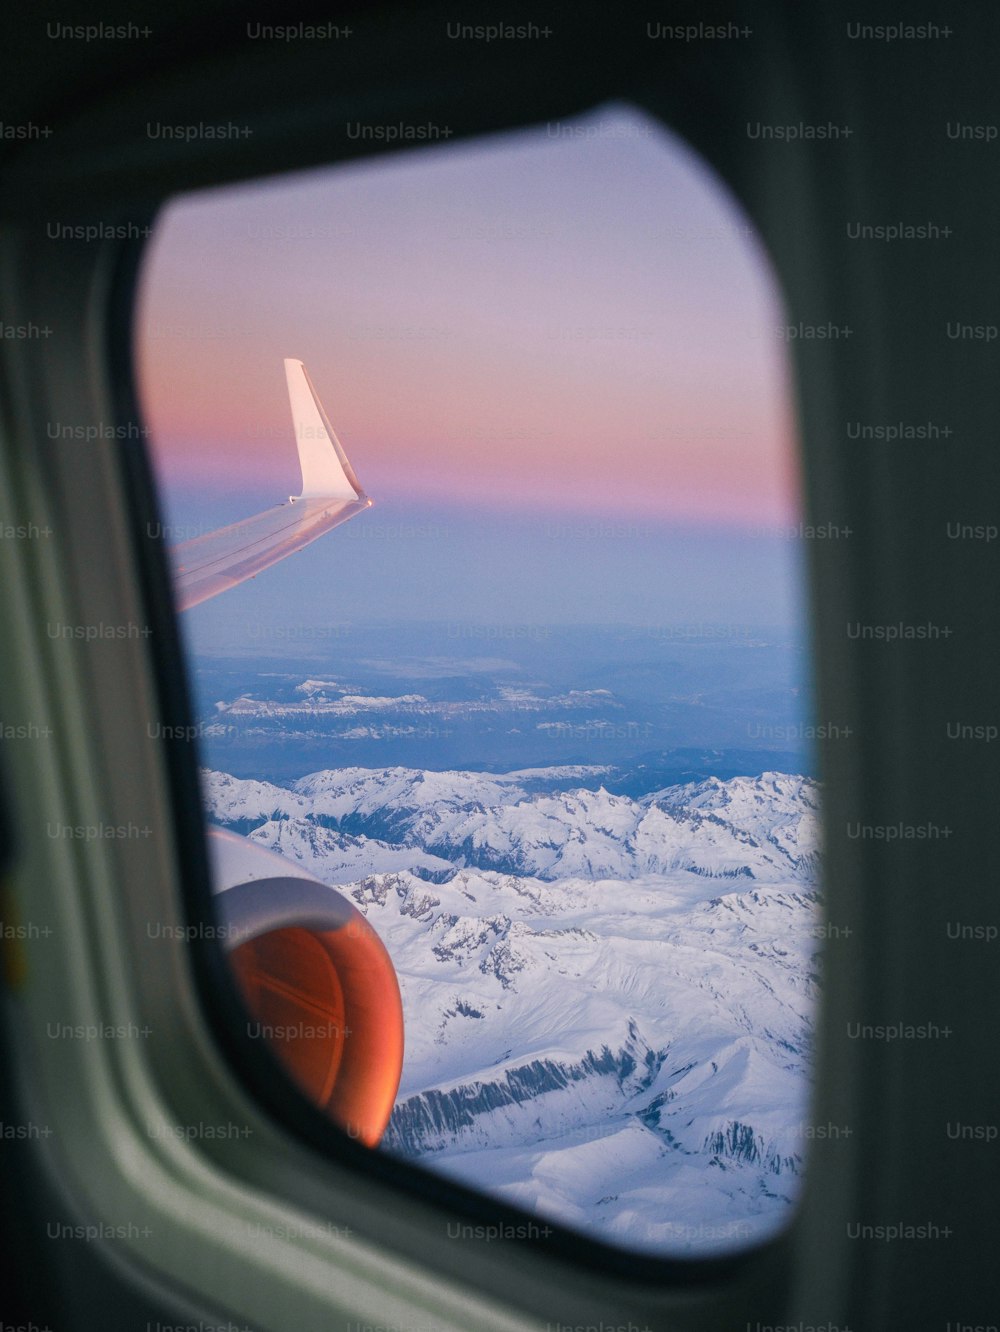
x=509 y=768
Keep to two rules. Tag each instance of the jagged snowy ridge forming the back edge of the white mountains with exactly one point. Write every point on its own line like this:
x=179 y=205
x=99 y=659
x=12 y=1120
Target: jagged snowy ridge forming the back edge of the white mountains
x=762 y=829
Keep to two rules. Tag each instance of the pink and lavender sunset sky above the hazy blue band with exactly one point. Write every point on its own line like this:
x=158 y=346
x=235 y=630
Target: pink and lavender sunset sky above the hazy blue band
x=576 y=323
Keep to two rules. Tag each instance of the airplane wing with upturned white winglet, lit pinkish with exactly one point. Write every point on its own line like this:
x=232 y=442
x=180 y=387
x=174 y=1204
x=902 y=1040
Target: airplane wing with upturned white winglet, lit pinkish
x=331 y=496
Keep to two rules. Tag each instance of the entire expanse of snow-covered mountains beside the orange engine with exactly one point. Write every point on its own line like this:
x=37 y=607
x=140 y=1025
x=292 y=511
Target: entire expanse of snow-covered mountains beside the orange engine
x=608 y=1001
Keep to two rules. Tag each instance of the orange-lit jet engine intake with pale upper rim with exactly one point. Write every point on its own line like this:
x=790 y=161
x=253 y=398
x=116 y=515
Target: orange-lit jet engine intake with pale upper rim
x=323 y=993
